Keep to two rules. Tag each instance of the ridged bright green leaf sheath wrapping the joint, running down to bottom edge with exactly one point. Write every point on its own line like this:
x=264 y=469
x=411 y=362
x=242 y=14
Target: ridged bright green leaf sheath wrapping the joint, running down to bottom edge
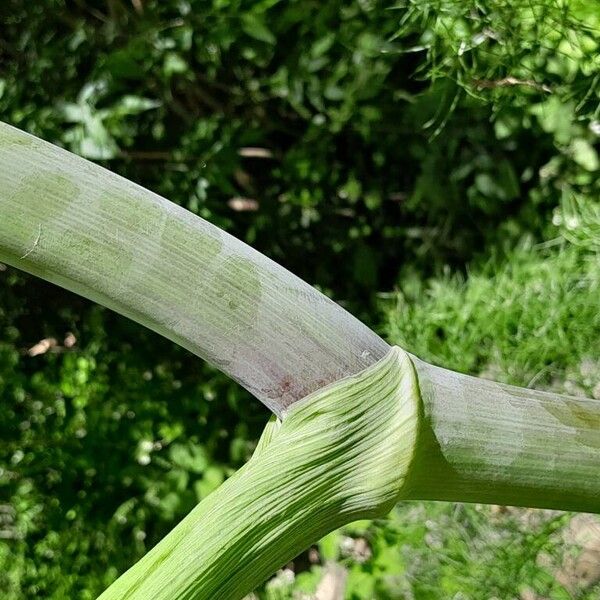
x=339 y=455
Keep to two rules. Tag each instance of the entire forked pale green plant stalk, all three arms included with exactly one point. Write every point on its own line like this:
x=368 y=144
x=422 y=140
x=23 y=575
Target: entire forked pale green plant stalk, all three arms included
x=399 y=429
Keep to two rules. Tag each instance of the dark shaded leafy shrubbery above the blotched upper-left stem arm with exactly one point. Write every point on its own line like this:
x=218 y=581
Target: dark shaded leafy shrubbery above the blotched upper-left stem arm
x=375 y=146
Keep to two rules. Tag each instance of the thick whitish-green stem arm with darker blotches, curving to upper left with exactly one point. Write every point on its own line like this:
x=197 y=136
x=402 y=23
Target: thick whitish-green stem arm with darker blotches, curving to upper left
x=80 y=226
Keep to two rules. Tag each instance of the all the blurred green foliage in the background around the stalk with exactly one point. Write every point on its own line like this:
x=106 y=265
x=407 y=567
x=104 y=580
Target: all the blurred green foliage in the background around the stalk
x=433 y=165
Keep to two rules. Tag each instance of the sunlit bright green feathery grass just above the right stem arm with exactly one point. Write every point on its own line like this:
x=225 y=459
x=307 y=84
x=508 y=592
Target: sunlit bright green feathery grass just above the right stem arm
x=530 y=320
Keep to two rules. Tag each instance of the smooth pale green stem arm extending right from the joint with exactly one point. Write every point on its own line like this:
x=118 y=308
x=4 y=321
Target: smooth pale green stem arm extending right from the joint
x=482 y=441
